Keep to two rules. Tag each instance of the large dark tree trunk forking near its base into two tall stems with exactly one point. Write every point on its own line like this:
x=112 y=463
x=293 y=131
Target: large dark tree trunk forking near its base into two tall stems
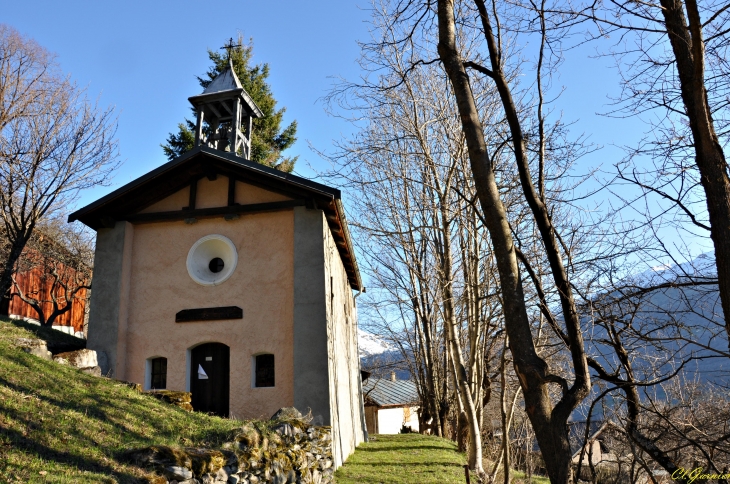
x=549 y=423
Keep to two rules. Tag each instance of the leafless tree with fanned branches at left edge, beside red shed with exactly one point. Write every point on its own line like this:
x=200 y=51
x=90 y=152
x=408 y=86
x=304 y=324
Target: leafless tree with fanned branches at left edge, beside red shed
x=53 y=142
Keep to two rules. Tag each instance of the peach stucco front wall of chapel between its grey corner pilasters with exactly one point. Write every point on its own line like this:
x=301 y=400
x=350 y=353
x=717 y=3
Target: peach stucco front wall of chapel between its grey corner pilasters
x=262 y=284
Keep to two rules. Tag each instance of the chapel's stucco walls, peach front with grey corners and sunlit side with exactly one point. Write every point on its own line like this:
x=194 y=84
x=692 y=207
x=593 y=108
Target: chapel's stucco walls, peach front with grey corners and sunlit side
x=290 y=282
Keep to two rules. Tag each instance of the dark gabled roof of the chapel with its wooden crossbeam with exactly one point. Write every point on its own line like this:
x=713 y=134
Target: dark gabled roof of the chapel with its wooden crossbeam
x=126 y=202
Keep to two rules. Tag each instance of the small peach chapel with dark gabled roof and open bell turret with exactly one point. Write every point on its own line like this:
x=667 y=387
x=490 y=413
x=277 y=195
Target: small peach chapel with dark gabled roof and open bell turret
x=229 y=279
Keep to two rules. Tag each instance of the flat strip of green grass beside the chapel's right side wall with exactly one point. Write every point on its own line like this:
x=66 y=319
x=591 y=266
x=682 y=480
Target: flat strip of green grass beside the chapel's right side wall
x=404 y=459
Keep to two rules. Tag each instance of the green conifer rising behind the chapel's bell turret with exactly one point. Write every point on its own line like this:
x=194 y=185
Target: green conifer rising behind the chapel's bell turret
x=268 y=141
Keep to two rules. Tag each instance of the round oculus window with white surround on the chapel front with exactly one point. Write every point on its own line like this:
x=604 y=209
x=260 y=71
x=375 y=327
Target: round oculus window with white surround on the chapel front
x=212 y=260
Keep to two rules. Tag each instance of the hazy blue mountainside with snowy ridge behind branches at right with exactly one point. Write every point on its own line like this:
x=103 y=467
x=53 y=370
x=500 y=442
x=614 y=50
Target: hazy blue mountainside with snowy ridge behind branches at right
x=671 y=325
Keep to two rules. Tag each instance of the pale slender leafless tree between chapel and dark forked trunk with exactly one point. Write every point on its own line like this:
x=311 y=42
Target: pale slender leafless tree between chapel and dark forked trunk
x=430 y=250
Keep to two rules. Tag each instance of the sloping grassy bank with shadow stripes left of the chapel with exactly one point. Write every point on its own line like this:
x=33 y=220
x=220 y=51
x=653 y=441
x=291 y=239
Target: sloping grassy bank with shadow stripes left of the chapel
x=59 y=425
